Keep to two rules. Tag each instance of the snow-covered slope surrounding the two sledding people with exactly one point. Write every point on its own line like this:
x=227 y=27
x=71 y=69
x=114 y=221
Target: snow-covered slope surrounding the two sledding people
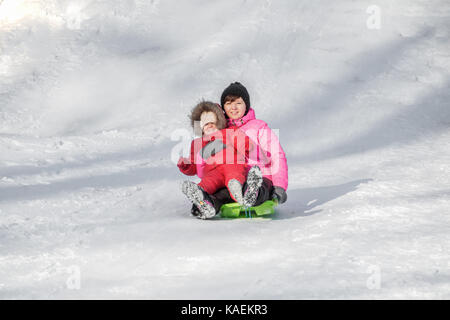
x=91 y=96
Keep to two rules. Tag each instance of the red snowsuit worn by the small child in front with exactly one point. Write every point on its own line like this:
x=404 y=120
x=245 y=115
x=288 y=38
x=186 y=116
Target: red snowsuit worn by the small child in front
x=225 y=152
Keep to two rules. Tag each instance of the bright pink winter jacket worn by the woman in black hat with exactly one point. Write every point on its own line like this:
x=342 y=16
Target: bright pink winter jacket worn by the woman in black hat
x=268 y=155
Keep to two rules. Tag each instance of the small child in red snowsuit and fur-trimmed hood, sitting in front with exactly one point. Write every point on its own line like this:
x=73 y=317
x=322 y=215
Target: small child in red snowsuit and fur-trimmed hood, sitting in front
x=224 y=153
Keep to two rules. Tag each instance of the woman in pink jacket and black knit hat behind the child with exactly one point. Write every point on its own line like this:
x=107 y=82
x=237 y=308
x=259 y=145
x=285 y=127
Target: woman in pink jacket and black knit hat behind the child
x=268 y=153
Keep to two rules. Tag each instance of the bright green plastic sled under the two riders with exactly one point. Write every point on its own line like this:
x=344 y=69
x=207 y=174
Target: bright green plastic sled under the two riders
x=234 y=210
